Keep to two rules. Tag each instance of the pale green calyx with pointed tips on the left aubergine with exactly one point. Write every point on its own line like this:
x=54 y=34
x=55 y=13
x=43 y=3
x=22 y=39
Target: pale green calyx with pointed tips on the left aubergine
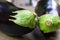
x=24 y=18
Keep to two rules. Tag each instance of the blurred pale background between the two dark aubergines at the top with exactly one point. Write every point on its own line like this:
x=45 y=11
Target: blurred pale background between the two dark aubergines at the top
x=27 y=4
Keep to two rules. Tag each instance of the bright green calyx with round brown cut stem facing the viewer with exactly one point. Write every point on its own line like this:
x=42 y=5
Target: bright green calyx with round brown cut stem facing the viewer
x=49 y=23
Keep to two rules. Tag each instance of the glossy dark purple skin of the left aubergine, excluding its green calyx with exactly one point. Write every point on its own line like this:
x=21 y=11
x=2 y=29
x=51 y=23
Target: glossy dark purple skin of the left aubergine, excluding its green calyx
x=8 y=27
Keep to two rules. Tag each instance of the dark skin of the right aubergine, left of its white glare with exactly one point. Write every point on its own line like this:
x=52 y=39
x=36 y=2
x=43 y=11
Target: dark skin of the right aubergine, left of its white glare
x=40 y=8
